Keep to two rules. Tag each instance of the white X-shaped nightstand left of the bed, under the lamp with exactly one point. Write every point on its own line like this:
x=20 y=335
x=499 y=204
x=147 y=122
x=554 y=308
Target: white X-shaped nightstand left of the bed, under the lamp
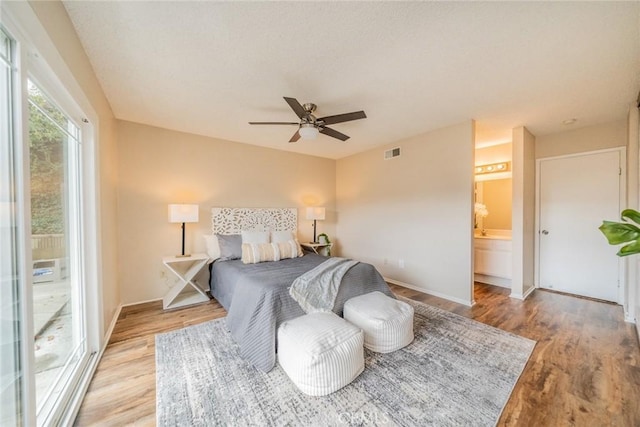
x=186 y=291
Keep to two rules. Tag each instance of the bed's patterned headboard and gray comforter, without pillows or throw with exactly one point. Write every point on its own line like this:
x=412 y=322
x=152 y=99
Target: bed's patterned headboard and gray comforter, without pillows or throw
x=256 y=296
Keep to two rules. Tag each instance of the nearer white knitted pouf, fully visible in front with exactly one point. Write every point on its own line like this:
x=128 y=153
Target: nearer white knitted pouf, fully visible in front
x=320 y=352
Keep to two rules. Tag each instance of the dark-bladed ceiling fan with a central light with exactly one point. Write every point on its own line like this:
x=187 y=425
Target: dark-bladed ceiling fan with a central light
x=309 y=125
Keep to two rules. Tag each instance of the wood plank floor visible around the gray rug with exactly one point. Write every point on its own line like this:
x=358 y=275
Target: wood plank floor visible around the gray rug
x=584 y=371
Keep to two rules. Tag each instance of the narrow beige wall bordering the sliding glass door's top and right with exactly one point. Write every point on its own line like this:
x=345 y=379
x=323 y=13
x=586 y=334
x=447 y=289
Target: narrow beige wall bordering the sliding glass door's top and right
x=56 y=22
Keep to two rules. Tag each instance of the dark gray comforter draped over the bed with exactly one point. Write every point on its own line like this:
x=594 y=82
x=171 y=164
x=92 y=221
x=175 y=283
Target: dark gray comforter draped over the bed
x=256 y=297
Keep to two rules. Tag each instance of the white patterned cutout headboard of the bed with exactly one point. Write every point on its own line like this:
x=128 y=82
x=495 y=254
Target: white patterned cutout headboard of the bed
x=235 y=220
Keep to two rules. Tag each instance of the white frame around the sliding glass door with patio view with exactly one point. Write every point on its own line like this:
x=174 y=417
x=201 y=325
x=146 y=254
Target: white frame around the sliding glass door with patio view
x=37 y=57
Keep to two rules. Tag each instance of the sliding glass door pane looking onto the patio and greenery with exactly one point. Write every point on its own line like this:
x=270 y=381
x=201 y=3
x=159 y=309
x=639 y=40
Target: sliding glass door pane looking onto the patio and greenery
x=56 y=238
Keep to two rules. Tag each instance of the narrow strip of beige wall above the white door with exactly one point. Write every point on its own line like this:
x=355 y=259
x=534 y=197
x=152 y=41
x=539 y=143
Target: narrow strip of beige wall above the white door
x=591 y=138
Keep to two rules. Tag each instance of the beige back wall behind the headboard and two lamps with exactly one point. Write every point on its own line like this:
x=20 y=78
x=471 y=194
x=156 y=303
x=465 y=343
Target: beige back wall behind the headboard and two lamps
x=158 y=167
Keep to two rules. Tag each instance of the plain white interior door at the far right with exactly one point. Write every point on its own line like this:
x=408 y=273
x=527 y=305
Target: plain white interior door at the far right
x=575 y=194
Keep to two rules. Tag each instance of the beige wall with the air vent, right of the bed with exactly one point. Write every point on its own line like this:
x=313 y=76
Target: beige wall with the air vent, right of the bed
x=416 y=208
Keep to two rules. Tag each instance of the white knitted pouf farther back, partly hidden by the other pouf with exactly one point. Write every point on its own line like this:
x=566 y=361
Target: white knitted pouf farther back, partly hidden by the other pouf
x=387 y=323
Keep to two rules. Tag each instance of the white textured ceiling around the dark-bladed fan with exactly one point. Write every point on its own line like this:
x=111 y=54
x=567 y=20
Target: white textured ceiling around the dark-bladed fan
x=210 y=67
